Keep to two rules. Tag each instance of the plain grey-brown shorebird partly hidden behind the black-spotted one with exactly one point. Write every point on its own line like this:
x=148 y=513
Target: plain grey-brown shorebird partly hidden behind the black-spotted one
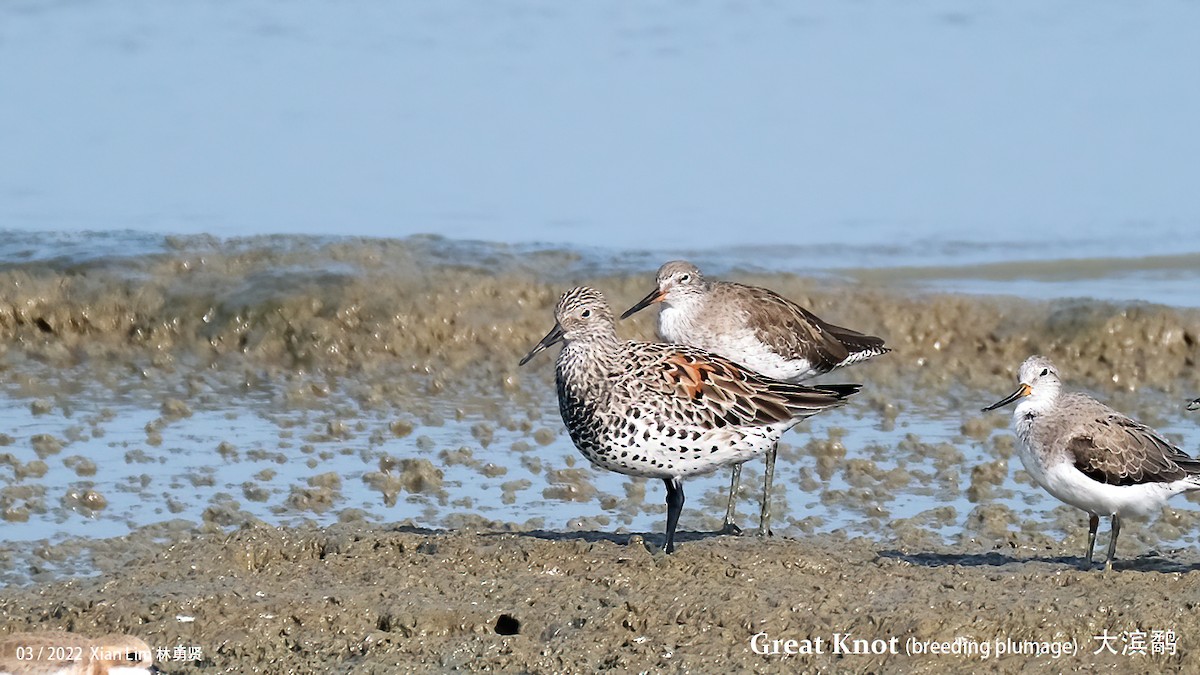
x=759 y=330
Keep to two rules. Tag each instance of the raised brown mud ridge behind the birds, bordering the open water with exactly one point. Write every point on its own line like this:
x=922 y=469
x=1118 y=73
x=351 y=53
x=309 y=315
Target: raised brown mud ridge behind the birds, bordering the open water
x=388 y=307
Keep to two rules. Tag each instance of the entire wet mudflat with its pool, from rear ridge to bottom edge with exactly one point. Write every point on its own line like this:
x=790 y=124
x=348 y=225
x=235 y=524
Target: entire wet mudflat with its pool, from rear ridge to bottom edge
x=296 y=455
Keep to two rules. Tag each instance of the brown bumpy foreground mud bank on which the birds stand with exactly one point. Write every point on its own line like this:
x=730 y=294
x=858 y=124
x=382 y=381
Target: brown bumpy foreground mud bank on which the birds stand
x=377 y=600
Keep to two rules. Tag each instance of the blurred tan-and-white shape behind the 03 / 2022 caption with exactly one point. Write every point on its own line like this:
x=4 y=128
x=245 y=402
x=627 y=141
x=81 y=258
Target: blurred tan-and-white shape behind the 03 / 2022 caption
x=57 y=653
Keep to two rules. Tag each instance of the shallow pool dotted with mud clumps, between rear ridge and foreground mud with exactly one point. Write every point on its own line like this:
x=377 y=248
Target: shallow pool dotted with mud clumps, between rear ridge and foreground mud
x=847 y=471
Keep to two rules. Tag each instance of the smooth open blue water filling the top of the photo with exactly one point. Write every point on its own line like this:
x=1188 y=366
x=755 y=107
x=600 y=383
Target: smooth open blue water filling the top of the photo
x=1041 y=129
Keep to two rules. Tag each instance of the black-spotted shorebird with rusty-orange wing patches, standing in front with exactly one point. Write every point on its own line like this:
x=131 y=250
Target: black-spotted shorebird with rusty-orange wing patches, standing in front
x=665 y=411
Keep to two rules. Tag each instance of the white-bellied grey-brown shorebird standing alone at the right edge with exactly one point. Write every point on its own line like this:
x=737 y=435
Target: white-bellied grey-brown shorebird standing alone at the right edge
x=1090 y=456
